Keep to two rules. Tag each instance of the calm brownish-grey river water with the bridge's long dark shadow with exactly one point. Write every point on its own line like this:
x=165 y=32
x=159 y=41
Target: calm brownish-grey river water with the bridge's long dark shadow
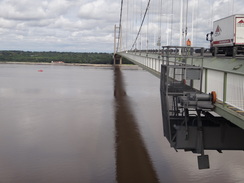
x=93 y=125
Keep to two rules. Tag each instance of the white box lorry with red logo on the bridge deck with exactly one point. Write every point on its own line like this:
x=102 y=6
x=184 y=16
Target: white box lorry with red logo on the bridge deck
x=227 y=36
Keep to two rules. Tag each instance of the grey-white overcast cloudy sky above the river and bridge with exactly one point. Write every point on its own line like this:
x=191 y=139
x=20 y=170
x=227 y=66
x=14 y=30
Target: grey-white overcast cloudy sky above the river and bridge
x=87 y=25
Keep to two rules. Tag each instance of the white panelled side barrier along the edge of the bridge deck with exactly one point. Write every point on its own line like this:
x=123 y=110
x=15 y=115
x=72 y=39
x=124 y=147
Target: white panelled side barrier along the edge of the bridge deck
x=228 y=84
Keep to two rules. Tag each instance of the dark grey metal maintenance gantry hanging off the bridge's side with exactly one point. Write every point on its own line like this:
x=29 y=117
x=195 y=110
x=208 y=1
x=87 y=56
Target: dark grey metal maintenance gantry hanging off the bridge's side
x=188 y=120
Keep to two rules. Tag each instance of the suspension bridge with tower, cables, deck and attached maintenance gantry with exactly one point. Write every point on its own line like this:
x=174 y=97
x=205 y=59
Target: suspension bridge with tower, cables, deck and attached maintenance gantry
x=202 y=96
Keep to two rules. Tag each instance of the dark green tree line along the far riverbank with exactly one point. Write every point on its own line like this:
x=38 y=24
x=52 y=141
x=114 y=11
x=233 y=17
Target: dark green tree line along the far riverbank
x=66 y=57
